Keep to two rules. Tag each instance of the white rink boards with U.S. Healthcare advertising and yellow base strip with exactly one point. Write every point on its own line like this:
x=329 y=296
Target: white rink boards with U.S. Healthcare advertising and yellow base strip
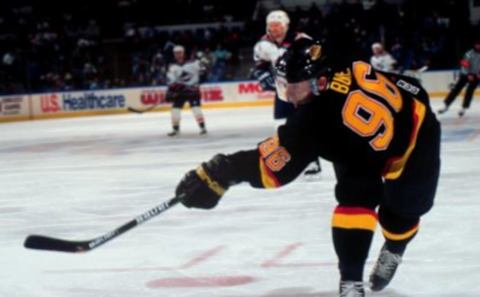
x=116 y=101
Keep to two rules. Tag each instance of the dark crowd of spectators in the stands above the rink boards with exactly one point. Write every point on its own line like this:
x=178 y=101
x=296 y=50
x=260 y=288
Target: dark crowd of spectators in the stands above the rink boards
x=47 y=45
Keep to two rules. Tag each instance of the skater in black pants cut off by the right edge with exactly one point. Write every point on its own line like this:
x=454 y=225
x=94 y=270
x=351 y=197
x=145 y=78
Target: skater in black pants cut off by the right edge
x=469 y=75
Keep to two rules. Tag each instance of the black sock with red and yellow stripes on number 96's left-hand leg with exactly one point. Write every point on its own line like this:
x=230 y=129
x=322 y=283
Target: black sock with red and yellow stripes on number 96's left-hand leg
x=352 y=231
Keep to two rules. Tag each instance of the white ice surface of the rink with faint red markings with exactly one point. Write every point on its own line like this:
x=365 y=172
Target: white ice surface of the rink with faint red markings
x=80 y=178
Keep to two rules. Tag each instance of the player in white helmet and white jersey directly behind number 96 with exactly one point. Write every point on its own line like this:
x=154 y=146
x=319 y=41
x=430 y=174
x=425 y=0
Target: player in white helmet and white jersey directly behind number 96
x=266 y=52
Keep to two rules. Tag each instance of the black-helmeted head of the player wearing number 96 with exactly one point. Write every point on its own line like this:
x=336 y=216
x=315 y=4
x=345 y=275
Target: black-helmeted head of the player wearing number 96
x=298 y=70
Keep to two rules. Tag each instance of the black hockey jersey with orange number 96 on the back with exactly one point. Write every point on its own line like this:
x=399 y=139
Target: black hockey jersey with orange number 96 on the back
x=365 y=119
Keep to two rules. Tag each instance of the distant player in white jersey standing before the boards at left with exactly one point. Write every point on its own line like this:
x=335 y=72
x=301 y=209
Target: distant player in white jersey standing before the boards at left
x=183 y=85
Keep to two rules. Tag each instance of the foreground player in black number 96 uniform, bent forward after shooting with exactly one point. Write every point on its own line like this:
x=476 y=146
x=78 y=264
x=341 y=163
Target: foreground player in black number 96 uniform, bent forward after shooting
x=384 y=142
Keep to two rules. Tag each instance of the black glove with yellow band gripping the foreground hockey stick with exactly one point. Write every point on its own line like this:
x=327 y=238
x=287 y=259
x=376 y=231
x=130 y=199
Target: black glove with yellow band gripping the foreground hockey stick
x=203 y=187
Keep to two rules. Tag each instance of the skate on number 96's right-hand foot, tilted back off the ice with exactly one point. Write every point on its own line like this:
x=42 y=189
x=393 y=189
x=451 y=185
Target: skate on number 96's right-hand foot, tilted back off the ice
x=384 y=270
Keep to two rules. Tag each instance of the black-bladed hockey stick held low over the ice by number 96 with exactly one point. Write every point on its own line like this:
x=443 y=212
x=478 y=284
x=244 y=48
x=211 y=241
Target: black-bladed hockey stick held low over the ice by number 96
x=39 y=242
